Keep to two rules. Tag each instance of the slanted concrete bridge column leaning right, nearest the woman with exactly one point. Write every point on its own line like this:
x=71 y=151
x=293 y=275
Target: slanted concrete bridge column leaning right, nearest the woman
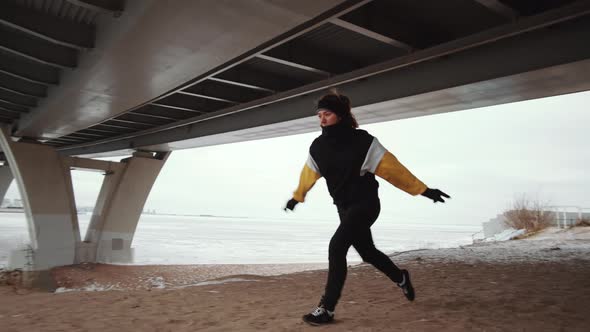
x=119 y=205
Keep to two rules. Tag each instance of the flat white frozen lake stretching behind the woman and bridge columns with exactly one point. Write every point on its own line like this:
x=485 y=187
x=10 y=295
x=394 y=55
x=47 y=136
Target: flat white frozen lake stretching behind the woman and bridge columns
x=162 y=239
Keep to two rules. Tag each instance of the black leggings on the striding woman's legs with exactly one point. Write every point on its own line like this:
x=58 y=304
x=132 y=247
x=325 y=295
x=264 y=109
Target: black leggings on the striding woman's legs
x=355 y=230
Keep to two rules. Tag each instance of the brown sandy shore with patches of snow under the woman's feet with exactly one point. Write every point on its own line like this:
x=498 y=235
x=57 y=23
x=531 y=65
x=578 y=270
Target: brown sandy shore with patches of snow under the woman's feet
x=538 y=284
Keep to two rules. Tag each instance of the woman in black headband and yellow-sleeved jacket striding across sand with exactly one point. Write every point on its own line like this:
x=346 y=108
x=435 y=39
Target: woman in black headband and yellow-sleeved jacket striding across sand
x=349 y=158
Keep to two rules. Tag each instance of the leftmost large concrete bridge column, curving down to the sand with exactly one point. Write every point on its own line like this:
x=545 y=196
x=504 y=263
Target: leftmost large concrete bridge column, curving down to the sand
x=46 y=190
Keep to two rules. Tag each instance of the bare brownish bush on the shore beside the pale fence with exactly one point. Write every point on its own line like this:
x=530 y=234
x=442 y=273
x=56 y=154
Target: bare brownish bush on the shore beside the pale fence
x=531 y=215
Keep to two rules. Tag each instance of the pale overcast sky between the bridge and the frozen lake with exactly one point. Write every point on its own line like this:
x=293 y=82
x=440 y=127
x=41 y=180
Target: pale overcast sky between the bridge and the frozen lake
x=484 y=158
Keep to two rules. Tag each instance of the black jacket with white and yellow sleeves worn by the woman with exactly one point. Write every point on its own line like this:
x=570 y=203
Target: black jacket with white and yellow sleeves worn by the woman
x=349 y=159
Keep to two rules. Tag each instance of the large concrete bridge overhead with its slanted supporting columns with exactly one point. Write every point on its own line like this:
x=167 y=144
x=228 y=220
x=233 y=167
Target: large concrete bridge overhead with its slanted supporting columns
x=86 y=78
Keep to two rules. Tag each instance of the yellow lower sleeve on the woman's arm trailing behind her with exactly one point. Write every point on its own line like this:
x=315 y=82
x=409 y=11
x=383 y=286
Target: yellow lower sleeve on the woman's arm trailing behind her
x=394 y=172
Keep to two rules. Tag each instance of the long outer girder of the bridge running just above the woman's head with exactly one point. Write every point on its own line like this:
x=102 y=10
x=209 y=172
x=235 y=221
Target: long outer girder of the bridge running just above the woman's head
x=522 y=60
